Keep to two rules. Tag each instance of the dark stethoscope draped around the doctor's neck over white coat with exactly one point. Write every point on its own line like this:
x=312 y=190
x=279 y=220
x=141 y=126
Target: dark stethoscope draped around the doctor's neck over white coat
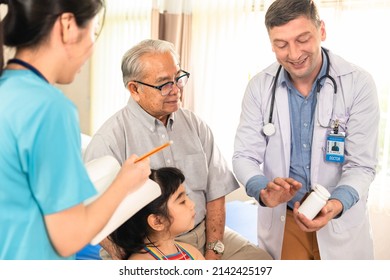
x=269 y=128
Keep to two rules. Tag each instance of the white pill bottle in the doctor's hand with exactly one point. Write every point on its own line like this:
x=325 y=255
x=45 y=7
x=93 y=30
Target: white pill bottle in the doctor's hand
x=313 y=204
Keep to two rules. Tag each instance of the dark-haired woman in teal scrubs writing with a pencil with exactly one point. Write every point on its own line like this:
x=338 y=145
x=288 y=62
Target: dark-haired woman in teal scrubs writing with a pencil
x=43 y=181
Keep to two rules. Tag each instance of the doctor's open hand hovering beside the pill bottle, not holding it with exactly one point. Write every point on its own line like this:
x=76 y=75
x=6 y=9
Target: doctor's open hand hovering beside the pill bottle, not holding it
x=279 y=190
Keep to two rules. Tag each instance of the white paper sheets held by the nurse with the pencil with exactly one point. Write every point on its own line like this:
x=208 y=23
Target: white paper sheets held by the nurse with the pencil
x=102 y=172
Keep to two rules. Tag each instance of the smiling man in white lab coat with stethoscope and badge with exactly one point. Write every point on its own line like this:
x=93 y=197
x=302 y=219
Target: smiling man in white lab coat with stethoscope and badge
x=292 y=113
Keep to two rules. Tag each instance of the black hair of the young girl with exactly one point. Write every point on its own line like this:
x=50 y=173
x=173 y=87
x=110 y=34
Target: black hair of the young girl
x=131 y=235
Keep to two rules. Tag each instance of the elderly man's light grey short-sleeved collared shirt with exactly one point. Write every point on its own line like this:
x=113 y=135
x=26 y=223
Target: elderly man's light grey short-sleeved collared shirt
x=194 y=152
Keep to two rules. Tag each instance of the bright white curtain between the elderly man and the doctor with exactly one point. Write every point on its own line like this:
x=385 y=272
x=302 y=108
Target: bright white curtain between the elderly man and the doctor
x=229 y=45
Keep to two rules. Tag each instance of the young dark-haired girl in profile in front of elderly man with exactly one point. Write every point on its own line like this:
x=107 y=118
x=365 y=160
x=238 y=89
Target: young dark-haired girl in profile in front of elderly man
x=150 y=233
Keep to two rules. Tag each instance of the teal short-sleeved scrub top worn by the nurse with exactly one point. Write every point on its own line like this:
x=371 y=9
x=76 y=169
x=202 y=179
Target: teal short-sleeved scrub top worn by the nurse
x=41 y=167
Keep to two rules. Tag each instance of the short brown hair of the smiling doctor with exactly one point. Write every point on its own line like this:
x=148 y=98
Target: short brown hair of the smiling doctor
x=283 y=11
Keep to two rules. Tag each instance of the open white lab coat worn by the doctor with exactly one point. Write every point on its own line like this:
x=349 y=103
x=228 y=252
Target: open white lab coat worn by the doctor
x=356 y=107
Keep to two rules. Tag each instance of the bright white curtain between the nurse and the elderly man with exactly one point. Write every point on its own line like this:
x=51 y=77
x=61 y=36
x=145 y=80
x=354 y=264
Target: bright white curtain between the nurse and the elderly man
x=126 y=23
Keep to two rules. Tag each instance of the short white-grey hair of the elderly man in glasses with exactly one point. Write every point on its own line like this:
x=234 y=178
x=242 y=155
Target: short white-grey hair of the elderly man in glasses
x=132 y=68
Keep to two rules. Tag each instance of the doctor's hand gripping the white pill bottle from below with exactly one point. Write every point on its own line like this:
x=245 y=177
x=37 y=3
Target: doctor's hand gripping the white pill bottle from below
x=331 y=209
